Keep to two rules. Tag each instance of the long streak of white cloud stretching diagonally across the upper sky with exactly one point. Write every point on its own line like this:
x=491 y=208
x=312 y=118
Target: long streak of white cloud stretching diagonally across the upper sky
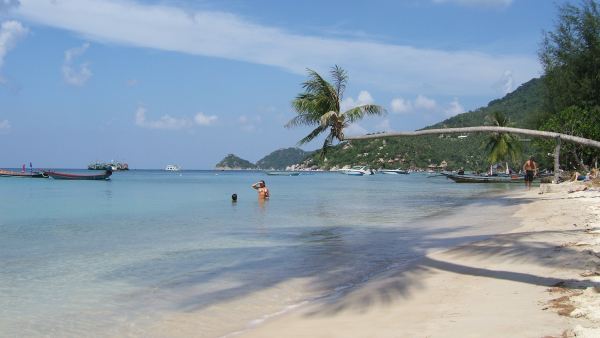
x=224 y=35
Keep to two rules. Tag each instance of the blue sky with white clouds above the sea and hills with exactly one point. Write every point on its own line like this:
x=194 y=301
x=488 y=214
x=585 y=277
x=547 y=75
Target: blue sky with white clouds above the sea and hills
x=180 y=82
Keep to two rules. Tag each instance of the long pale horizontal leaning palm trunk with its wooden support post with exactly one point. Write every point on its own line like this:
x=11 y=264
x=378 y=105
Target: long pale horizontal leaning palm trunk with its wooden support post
x=487 y=129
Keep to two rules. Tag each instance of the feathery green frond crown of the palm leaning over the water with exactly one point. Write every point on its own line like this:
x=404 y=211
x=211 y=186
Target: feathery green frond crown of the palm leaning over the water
x=319 y=105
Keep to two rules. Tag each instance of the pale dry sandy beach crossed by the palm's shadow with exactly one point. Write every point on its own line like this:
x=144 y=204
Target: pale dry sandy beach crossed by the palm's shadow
x=520 y=282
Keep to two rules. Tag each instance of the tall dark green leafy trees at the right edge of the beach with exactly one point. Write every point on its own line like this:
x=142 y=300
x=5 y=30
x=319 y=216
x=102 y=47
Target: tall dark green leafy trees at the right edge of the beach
x=570 y=56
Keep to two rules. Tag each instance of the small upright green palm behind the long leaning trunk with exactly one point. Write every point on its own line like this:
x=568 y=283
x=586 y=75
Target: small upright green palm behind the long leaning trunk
x=502 y=145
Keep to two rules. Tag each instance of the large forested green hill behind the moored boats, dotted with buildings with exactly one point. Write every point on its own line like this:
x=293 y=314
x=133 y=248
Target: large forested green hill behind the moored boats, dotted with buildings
x=523 y=106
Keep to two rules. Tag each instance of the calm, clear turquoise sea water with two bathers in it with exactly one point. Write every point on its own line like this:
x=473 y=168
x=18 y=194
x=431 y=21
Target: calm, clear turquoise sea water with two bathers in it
x=111 y=258
